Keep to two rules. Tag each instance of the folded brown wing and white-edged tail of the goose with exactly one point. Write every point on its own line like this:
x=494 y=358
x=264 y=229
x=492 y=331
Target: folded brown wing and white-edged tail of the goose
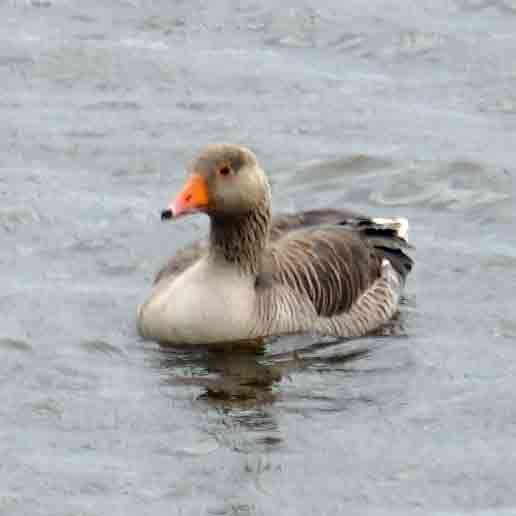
x=334 y=257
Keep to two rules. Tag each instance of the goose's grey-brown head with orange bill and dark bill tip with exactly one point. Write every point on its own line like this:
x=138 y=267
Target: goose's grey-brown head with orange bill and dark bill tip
x=224 y=180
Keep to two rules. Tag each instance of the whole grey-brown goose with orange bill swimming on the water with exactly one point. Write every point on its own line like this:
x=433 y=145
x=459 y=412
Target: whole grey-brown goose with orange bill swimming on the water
x=330 y=272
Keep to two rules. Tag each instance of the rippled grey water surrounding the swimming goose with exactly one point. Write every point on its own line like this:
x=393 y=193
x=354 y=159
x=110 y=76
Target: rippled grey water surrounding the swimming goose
x=392 y=108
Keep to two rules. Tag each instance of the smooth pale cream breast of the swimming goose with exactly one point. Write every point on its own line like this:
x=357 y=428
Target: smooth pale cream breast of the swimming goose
x=204 y=304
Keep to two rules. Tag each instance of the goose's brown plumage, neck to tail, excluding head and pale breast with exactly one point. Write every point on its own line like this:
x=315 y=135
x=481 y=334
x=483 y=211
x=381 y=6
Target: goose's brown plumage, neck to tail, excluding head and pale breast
x=323 y=266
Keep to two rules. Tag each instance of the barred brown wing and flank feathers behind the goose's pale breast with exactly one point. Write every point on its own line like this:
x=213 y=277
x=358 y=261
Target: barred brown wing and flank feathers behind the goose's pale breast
x=341 y=277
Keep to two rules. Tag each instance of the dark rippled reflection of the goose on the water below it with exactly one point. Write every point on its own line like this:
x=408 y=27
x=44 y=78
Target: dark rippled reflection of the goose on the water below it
x=242 y=385
